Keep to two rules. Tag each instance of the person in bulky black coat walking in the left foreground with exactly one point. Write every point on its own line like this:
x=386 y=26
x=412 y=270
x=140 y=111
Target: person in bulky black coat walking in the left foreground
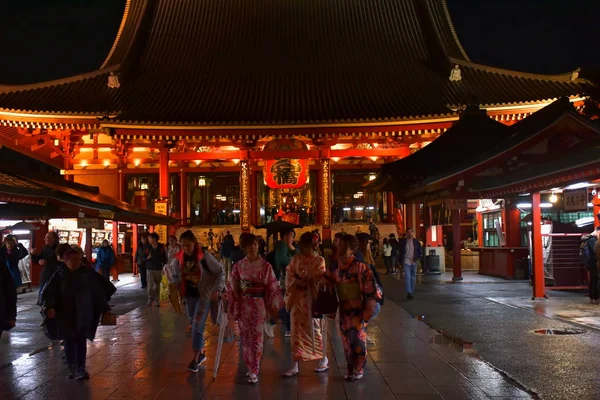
x=74 y=299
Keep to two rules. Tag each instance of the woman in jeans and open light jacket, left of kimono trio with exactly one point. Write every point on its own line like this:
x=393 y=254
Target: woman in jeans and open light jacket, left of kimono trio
x=201 y=276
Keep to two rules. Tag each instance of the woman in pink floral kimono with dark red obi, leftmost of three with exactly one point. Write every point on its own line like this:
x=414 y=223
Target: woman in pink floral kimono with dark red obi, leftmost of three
x=255 y=296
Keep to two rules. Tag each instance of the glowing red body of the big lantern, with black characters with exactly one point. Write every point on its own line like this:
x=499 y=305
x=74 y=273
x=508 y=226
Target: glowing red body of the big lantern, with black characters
x=286 y=173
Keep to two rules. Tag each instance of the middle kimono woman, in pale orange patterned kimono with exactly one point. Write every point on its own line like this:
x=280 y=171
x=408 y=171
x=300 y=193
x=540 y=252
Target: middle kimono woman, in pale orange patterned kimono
x=304 y=276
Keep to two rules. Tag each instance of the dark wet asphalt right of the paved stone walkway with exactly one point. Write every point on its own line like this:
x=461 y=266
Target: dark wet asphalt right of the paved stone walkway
x=500 y=321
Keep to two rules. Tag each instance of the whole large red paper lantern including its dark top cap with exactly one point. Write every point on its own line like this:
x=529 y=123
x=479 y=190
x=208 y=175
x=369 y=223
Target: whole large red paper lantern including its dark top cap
x=286 y=173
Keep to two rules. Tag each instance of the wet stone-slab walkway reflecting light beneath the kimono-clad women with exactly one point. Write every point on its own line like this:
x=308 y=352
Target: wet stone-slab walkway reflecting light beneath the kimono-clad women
x=146 y=354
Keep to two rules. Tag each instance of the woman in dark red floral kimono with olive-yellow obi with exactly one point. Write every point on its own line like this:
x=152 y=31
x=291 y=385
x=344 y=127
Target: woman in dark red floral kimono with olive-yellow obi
x=358 y=295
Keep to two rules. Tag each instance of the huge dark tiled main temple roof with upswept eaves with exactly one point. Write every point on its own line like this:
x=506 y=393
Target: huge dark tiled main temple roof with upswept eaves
x=228 y=62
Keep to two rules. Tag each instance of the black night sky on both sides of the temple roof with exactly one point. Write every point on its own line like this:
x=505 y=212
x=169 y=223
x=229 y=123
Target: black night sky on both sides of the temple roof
x=50 y=39
